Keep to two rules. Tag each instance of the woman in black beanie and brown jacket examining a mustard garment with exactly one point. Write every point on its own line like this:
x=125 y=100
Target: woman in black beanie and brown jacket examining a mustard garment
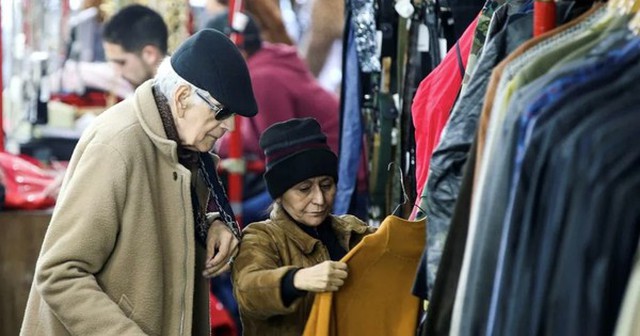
x=285 y=260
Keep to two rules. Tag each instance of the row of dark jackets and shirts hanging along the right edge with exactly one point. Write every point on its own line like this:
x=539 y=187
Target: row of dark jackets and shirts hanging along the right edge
x=534 y=179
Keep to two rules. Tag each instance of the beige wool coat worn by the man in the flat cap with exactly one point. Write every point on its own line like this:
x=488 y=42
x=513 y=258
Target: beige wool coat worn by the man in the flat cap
x=119 y=256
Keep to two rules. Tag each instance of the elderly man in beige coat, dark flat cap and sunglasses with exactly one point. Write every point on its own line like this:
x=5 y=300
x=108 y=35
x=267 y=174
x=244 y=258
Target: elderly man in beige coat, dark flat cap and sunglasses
x=141 y=220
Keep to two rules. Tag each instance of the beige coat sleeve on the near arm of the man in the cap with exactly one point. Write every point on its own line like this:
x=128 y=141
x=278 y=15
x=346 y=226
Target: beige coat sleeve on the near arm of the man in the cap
x=79 y=243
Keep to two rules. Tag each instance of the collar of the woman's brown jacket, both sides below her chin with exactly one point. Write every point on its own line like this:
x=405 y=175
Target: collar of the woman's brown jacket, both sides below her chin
x=305 y=242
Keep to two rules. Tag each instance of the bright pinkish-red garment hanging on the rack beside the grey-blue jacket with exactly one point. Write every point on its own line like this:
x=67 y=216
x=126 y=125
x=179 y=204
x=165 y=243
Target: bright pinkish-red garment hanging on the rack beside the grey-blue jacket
x=433 y=102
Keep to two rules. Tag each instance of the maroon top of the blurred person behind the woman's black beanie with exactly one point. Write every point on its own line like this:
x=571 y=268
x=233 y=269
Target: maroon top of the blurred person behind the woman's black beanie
x=284 y=88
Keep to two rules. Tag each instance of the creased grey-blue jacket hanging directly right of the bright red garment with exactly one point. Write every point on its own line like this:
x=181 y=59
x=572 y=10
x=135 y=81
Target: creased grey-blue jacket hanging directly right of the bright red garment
x=450 y=156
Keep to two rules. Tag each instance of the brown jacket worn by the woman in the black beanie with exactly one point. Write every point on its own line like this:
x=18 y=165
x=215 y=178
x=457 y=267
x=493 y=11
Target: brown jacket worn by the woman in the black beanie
x=268 y=250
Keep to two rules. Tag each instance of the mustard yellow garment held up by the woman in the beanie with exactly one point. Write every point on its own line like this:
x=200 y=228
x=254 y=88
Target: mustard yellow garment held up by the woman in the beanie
x=376 y=297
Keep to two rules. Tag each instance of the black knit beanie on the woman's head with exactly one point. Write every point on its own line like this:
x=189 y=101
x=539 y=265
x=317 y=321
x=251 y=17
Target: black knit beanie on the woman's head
x=296 y=150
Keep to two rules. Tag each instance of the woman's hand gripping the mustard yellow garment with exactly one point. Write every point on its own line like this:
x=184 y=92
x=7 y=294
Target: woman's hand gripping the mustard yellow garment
x=327 y=276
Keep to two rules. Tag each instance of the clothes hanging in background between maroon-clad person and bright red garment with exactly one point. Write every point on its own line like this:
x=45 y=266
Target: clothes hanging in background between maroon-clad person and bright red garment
x=387 y=51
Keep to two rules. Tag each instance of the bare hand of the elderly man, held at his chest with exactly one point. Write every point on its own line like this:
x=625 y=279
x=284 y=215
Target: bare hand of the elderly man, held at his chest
x=222 y=245
